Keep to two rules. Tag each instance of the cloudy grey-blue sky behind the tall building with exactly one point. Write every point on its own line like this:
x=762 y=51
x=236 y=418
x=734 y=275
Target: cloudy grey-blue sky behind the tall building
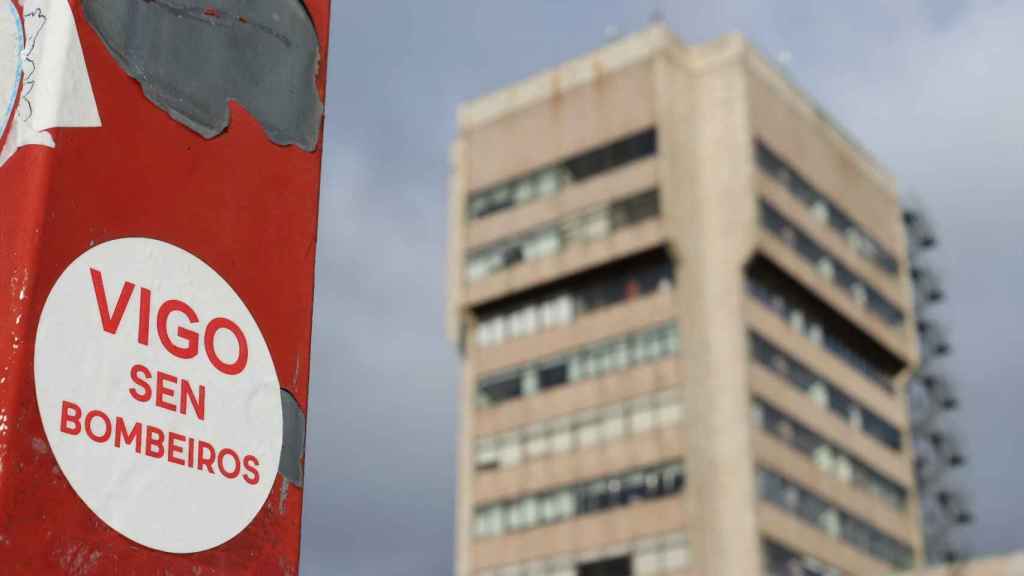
x=931 y=88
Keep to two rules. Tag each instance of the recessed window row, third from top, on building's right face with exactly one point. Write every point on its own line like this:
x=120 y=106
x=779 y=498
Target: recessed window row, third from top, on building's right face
x=812 y=325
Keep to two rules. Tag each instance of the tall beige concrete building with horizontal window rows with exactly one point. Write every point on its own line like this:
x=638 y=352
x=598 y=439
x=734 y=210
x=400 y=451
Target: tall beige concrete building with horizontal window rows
x=682 y=300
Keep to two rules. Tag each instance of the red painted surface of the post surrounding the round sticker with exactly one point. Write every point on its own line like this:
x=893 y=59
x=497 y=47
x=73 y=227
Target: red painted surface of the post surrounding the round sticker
x=238 y=200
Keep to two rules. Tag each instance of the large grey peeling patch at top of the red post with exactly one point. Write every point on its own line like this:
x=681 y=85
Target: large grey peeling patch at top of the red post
x=193 y=57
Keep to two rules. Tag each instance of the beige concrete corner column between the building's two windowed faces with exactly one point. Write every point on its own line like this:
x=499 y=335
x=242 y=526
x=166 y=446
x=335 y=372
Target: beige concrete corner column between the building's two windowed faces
x=707 y=178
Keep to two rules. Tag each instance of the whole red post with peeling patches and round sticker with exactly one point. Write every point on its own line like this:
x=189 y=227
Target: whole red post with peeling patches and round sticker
x=147 y=204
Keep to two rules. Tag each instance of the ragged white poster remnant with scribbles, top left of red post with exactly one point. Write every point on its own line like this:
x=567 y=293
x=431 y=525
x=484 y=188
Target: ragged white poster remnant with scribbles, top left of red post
x=45 y=83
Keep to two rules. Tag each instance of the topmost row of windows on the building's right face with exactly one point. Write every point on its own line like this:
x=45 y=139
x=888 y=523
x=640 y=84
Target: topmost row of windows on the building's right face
x=826 y=211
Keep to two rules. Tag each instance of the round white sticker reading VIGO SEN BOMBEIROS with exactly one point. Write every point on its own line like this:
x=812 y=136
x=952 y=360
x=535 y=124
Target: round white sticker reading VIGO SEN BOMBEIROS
x=158 y=395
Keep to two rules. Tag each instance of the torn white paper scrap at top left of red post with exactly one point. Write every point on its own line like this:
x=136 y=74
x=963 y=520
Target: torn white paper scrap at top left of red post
x=56 y=92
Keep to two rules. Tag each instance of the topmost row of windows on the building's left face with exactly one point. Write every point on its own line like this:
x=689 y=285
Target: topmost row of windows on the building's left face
x=550 y=181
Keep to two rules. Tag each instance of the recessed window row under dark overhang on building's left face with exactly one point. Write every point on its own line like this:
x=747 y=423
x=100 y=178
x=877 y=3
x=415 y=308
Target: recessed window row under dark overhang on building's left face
x=561 y=307
